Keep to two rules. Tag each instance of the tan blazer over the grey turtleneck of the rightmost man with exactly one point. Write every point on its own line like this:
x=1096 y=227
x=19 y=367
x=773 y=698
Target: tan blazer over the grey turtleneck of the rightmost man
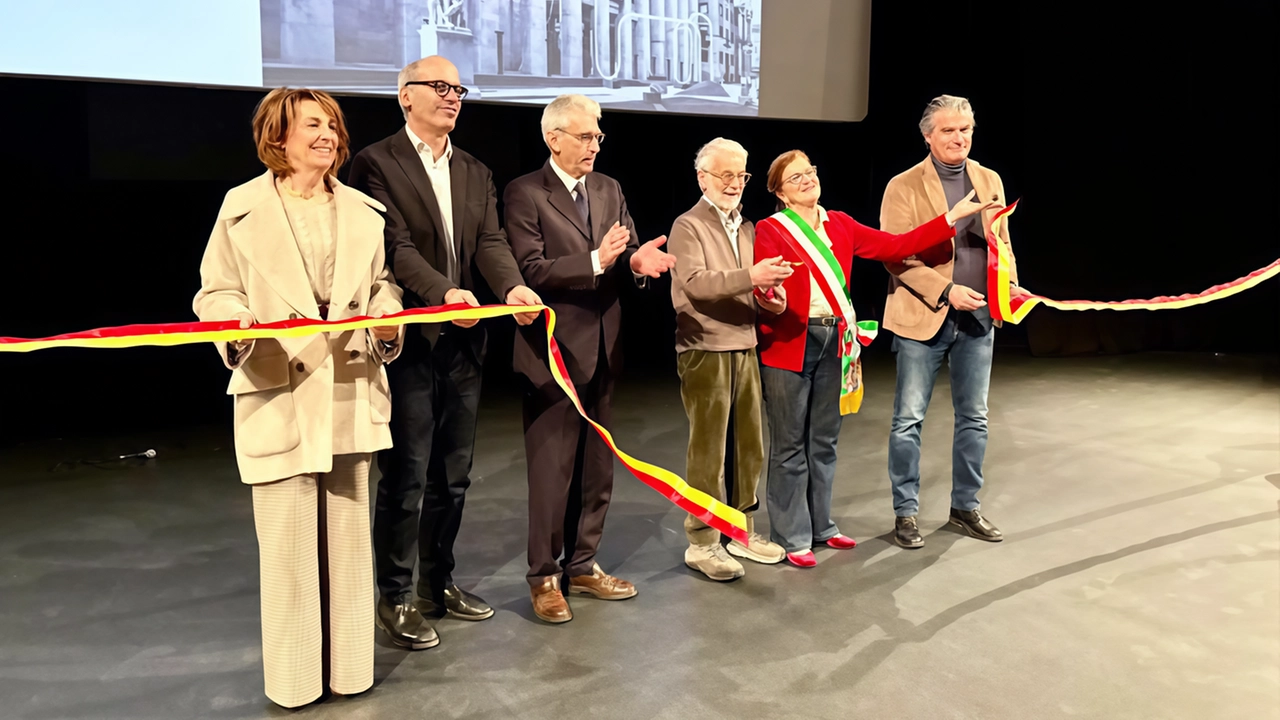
x=912 y=199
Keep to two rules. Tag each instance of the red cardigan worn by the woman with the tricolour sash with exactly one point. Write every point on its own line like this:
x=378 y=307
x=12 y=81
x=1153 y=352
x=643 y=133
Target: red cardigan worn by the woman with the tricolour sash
x=783 y=338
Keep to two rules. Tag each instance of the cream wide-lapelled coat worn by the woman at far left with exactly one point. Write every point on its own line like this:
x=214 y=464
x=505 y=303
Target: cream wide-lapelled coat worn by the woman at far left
x=300 y=402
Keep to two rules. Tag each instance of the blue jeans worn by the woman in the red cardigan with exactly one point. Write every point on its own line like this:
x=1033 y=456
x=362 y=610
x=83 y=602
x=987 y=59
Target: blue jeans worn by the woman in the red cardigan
x=804 y=426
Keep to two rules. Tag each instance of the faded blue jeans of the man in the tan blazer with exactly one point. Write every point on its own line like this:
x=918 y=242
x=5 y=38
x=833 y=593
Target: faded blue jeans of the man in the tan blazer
x=918 y=366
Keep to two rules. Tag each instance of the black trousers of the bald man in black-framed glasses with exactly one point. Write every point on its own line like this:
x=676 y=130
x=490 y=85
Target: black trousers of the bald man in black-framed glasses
x=436 y=397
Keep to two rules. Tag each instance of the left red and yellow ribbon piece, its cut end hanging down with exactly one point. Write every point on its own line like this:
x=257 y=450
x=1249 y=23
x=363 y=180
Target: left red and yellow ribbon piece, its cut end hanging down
x=671 y=486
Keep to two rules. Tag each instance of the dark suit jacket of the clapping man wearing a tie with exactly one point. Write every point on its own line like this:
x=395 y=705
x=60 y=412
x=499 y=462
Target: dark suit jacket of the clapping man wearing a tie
x=554 y=248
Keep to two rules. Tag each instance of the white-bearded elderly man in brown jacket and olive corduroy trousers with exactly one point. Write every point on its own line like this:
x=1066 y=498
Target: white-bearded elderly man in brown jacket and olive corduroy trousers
x=720 y=376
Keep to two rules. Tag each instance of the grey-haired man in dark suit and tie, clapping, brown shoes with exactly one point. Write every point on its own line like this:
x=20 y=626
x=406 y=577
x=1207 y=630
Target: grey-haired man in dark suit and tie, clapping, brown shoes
x=577 y=245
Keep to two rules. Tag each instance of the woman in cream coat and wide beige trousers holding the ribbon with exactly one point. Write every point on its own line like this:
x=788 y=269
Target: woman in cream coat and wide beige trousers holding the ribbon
x=310 y=412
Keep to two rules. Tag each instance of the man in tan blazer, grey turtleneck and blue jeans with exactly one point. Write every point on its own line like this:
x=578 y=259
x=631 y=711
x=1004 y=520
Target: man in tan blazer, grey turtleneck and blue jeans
x=938 y=309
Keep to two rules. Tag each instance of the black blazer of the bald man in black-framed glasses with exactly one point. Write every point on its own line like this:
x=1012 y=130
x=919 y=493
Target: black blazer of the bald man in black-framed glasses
x=392 y=172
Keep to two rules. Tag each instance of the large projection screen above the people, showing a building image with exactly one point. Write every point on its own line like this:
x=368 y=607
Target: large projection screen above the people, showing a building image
x=755 y=58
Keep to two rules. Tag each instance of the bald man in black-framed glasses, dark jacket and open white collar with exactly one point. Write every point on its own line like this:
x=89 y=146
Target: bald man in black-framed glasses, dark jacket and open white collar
x=444 y=240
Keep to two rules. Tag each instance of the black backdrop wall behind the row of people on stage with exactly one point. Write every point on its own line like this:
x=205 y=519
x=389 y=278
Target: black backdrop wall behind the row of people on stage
x=1137 y=145
